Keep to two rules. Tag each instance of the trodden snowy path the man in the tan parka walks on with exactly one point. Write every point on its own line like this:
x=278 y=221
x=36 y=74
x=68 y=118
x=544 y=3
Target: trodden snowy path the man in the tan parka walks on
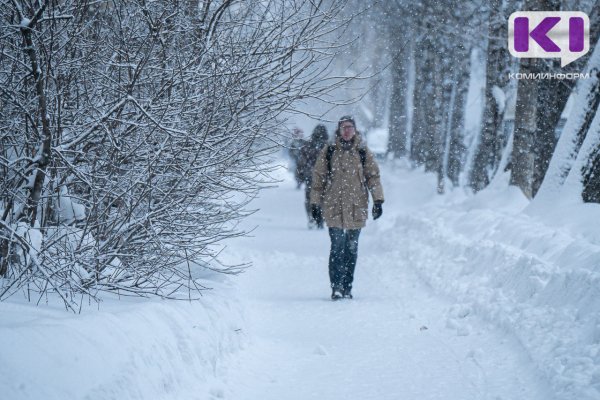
x=397 y=339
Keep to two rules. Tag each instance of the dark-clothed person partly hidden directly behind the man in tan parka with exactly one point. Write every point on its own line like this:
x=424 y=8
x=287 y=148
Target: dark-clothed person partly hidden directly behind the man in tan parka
x=304 y=169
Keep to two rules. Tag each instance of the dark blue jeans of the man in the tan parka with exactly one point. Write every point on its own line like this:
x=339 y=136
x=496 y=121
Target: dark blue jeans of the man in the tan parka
x=342 y=257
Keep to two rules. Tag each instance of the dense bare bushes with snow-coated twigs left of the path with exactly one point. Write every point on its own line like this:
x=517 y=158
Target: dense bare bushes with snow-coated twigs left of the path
x=134 y=133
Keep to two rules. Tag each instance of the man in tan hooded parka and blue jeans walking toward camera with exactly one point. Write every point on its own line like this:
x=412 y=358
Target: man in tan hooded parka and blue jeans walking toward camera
x=343 y=175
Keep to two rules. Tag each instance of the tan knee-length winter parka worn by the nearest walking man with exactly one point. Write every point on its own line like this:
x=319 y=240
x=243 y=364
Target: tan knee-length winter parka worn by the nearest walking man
x=343 y=194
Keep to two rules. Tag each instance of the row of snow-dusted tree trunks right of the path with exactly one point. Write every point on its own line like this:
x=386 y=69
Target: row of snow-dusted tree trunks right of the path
x=437 y=117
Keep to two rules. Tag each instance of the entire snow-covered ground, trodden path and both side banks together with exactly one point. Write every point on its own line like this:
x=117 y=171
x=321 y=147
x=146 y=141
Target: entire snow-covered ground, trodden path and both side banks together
x=456 y=297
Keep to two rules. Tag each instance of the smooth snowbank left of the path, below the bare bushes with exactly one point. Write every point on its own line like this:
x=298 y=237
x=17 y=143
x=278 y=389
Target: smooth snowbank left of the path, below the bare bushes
x=128 y=349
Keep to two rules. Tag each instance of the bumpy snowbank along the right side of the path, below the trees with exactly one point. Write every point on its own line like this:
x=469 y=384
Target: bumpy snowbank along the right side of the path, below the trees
x=535 y=280
